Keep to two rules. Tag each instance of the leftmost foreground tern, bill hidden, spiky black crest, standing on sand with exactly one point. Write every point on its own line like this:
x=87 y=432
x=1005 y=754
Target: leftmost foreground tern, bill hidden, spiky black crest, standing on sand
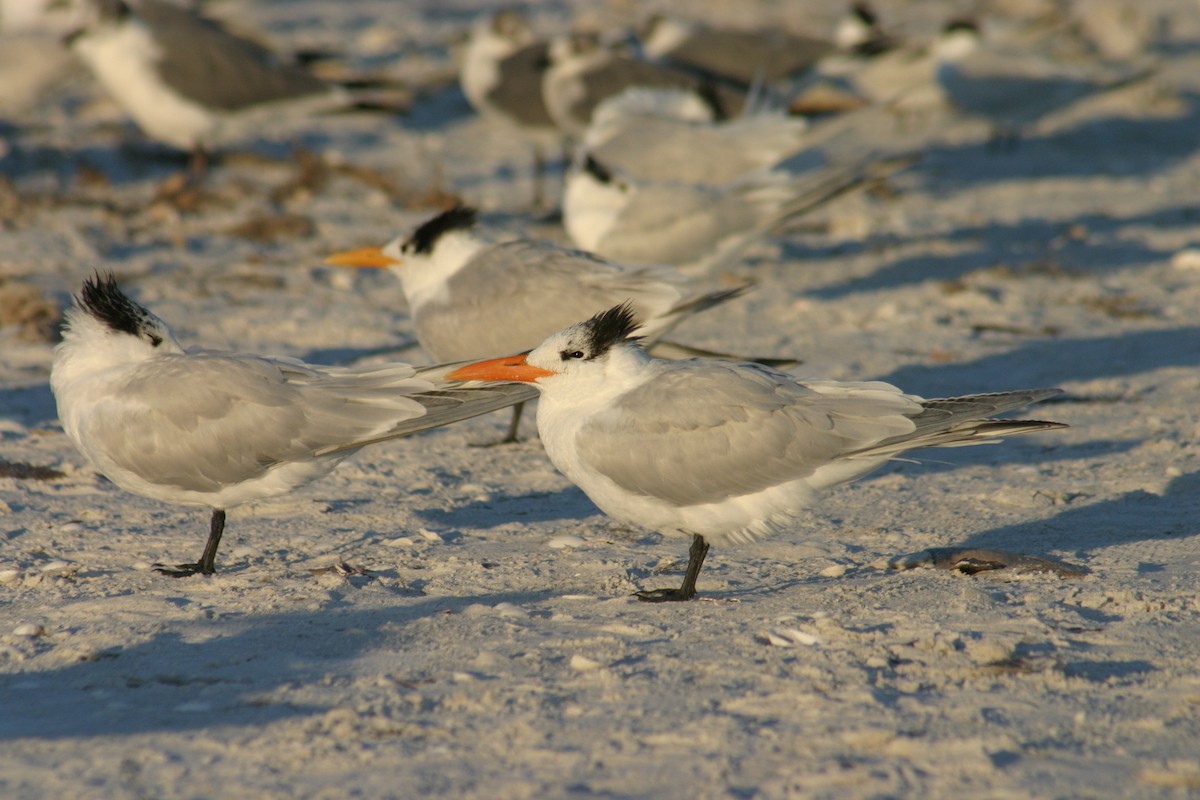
x=212 y=429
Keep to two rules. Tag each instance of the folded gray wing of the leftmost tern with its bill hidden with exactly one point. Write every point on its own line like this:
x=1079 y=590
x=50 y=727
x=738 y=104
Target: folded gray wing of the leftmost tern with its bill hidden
x=206 y=422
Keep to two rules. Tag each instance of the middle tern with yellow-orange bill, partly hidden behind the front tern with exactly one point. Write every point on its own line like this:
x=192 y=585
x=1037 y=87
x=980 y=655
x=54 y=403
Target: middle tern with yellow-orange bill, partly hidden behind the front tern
x=472 y=293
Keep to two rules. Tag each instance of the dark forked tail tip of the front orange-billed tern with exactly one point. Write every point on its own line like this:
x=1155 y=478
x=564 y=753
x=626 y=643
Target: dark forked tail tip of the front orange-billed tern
x=961 y=422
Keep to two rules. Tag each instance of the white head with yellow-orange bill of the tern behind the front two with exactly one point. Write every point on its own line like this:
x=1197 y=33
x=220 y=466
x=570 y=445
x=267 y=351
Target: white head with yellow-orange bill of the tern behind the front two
x=425 y=258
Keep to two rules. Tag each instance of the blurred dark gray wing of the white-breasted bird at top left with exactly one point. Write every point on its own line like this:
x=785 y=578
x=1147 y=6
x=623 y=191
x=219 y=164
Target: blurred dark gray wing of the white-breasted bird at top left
x=212 y=67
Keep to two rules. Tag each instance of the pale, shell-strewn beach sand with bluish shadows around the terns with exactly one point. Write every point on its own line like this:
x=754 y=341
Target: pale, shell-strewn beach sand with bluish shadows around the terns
x=494 y=648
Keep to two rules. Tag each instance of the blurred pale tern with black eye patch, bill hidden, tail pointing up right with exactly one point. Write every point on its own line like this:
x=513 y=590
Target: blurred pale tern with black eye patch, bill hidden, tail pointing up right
x=692 y=226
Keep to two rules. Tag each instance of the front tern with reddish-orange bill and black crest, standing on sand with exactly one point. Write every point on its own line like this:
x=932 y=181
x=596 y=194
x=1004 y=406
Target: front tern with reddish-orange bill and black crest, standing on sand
x=719 y=452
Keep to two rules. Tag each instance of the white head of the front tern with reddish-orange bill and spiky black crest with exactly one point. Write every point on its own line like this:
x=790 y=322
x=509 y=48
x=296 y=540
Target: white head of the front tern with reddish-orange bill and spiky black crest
x=587 y=360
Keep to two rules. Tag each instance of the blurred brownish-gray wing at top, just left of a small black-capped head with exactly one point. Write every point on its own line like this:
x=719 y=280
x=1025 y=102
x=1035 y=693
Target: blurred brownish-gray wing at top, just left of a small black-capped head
x=749 y=57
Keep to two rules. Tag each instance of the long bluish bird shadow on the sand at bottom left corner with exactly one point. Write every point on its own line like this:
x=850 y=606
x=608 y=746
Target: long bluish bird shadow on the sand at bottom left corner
x=237 y=675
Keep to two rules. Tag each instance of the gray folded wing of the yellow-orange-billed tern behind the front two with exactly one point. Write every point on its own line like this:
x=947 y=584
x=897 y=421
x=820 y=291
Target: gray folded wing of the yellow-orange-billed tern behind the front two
x=513 y=296
